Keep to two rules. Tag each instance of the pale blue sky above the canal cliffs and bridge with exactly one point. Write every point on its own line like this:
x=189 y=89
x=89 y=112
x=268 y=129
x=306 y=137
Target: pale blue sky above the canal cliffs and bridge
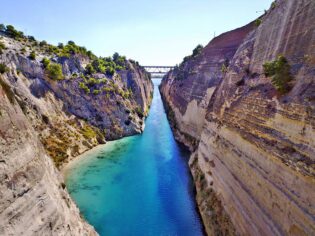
x=159 y=32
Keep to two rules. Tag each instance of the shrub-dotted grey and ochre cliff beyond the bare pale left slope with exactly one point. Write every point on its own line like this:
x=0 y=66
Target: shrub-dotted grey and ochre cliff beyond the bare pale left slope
x=80 y=111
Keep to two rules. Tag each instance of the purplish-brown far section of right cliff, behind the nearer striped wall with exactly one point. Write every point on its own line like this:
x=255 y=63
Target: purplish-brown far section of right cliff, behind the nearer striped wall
x=189 y=88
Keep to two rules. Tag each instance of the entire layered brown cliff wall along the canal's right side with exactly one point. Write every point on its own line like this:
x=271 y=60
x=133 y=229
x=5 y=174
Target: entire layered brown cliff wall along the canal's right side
x=253 y=159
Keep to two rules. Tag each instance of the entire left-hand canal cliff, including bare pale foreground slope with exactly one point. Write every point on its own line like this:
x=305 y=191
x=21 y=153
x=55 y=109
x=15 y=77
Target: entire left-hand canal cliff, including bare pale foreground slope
x=46 y=122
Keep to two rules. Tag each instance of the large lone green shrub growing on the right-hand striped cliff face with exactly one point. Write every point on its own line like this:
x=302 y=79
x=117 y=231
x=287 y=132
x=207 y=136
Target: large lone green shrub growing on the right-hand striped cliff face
x=279 y=71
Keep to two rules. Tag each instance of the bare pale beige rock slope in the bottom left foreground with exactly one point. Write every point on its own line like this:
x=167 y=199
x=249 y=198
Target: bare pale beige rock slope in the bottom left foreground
x=33 y=198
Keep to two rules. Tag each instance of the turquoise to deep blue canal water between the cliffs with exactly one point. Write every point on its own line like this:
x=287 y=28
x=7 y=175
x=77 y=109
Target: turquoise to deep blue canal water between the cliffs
x=138 y=185
